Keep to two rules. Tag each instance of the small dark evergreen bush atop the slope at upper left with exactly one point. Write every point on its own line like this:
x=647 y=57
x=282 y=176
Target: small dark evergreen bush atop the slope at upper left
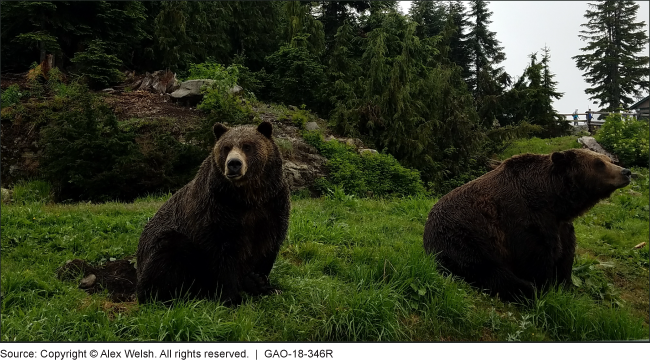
x=97 y=66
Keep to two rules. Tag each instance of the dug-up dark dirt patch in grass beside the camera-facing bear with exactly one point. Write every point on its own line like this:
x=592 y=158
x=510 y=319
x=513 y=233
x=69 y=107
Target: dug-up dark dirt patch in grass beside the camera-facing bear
x=118 y=277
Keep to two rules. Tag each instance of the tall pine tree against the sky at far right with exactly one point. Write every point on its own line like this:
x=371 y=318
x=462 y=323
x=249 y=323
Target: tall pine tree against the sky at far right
x=611 y=59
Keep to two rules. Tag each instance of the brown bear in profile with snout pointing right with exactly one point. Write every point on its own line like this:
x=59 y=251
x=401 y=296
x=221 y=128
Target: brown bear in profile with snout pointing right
x=510 y=231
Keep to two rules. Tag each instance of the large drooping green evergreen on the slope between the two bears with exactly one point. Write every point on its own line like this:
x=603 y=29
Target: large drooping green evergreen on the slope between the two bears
x=417 y=110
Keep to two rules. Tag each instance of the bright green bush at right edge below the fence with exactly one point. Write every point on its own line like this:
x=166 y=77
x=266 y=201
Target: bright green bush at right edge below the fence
x=626 y=137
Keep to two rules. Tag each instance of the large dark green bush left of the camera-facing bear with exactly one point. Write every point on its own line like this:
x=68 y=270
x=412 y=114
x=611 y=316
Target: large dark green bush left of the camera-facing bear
x=86 y=156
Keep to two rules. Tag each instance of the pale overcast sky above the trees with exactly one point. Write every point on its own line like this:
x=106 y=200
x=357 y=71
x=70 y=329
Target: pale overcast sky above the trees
x=524 y=27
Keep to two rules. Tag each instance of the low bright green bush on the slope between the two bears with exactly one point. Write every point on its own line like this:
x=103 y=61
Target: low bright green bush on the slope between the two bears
x=368 y=174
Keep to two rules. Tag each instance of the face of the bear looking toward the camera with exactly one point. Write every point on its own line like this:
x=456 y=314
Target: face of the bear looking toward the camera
x=241 y=153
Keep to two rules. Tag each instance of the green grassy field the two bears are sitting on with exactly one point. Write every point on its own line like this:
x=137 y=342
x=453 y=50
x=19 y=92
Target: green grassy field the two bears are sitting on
x=350 y=270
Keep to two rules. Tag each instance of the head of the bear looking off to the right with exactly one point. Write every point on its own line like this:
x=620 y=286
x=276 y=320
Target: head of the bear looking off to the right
x=594 y=173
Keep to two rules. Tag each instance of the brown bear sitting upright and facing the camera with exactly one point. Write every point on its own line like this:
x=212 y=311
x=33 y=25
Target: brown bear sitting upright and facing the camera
x=220 y=234
